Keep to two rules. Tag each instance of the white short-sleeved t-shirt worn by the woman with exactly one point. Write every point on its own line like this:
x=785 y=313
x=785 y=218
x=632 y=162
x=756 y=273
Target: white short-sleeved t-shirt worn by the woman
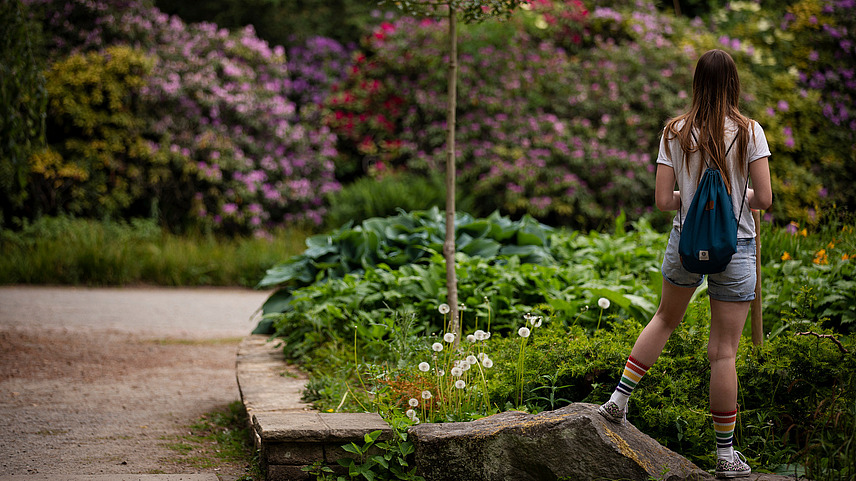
x=687 y=175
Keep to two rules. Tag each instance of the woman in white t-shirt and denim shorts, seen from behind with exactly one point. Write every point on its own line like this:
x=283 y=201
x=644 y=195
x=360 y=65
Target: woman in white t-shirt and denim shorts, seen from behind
x=706 y=131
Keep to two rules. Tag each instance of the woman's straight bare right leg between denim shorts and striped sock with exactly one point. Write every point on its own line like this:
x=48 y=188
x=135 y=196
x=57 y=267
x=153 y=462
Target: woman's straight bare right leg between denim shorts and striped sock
x=726 y=327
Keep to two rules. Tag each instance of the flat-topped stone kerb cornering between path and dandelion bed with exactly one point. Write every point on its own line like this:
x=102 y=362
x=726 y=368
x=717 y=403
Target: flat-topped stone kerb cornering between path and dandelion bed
x=288 y=433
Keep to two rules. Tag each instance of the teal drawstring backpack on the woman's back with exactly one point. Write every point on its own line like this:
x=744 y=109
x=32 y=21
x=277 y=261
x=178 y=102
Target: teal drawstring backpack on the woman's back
x=709 y=233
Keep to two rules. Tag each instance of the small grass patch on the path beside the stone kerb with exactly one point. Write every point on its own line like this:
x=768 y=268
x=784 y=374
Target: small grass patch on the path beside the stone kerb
x=221 y=440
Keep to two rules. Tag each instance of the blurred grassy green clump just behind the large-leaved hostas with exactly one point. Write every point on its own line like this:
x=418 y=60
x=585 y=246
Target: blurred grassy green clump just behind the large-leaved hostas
x=368 y=197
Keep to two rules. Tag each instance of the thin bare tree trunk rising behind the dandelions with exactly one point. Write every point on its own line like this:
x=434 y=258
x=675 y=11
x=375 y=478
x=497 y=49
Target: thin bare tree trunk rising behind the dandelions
x=449 y=244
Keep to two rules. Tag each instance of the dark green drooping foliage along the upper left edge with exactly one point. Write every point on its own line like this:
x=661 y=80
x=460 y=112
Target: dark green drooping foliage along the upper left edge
x=23 y=101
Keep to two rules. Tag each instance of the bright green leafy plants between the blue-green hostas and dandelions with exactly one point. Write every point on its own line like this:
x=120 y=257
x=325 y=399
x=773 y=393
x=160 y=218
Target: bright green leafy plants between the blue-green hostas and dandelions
x=571 y=273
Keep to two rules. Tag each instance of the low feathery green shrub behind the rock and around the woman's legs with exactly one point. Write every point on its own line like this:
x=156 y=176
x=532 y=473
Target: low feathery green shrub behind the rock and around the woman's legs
x=783 y=383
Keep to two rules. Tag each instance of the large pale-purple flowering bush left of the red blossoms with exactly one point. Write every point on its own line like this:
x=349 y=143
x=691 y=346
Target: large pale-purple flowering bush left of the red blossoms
x=219 y=107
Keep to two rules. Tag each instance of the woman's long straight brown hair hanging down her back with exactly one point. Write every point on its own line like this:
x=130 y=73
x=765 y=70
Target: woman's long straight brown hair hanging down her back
x=716 y=93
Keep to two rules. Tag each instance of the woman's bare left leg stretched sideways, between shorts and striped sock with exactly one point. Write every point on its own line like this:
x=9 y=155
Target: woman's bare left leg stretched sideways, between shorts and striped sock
x=670 y=313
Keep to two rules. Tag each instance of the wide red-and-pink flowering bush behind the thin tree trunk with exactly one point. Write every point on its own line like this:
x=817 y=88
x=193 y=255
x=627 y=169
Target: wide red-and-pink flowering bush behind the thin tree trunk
x=539 y=132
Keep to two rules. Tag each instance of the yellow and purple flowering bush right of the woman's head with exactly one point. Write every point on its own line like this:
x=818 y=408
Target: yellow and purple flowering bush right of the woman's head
x=798 y=64
